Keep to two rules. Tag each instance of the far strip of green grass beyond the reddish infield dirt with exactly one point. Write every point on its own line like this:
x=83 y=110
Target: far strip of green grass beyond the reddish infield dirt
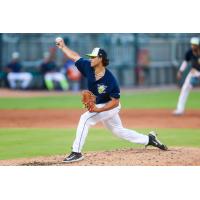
x=149 y=99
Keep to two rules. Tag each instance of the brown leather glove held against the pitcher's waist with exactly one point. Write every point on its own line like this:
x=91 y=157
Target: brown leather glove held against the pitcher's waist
x=88 y=99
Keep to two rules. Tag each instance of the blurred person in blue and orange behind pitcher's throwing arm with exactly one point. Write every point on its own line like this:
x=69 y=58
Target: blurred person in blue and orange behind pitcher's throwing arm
x=73 y=75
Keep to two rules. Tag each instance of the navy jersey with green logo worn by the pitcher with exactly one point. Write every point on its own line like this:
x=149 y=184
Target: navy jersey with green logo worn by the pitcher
x=104 y=88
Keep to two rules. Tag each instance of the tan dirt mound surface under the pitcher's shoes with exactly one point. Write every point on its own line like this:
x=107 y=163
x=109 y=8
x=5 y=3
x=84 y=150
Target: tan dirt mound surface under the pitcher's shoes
x=125 y=157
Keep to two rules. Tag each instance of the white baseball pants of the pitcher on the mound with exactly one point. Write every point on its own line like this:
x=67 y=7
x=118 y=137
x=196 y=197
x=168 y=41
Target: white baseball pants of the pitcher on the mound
x=111 y=121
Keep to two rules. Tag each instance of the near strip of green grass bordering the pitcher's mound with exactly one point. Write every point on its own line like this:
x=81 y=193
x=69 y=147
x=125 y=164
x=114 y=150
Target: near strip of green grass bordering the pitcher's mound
x=21 y=143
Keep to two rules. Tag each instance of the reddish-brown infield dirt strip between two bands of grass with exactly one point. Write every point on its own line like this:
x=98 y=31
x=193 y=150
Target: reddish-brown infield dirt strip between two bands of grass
x=68 y=118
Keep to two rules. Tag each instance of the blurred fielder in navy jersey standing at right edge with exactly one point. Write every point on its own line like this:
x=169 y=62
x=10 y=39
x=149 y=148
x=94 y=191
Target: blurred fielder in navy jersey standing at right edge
x=193 y=77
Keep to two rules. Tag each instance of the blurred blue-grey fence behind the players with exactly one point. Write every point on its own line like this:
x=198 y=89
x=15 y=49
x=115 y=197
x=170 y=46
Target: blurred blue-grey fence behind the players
x=165 y=53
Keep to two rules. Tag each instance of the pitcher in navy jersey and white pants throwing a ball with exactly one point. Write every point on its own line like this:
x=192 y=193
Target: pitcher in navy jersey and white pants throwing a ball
x=102 y=101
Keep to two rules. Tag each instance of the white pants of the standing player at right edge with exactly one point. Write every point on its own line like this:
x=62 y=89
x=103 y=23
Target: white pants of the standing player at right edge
x=185 y=90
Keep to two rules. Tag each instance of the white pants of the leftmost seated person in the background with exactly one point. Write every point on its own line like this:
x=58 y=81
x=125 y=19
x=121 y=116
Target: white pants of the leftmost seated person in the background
x=24 y=77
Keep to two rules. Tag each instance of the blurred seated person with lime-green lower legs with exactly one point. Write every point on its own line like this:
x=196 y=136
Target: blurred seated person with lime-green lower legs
x=51 y=76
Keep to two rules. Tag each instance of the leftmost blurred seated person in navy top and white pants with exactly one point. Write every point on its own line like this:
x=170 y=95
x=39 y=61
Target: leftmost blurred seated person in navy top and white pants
x=15 y=76
